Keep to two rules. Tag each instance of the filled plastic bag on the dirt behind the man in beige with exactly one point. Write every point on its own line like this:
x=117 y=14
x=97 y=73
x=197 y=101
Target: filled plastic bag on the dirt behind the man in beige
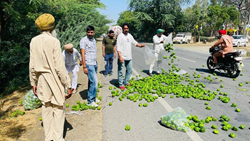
x=30 y=101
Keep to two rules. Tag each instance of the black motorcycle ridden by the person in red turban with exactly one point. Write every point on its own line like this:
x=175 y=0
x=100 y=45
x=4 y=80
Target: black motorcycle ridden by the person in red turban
x=231 y=63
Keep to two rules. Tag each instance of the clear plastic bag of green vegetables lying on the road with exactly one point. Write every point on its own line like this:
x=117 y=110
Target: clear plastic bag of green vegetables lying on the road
x=176 y=120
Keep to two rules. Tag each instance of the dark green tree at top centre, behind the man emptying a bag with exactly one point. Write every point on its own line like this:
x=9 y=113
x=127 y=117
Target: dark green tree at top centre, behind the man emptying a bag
x=154 y=14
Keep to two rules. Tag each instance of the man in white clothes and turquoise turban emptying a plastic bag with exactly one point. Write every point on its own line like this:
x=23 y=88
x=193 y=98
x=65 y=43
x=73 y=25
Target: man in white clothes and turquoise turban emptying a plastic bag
x=158 y=40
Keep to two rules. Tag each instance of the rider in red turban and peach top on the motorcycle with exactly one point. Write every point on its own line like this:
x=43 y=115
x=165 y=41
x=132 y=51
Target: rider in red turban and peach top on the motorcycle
x=226 y=43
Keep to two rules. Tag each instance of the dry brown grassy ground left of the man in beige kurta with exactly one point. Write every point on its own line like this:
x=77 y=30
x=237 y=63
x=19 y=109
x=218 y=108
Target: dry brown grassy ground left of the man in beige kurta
x=12 y=128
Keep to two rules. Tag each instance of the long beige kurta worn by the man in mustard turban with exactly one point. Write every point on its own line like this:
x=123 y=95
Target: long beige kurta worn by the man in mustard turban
x=47 y=69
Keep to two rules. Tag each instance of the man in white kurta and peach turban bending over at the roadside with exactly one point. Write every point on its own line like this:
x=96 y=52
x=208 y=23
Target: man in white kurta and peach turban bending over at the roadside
x=70 y=56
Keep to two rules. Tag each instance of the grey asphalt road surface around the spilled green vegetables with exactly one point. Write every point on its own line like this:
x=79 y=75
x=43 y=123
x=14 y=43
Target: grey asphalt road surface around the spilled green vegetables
x=144 y=122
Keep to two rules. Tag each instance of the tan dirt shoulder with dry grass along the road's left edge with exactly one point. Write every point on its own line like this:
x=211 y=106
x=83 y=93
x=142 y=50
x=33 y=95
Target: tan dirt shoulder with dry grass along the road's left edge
x=87 y=127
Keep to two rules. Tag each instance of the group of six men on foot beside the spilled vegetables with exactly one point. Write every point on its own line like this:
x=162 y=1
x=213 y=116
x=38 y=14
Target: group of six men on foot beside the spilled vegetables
x=49 y=68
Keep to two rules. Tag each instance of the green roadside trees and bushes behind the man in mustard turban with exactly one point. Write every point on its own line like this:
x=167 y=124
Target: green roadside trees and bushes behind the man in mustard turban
x=18 y=27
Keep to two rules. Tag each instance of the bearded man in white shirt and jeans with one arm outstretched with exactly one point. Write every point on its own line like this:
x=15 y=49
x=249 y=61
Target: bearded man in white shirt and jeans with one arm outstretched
x=124 y=43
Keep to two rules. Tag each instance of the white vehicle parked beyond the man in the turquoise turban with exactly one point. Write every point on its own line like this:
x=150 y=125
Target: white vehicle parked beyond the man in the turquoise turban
x=183 y=37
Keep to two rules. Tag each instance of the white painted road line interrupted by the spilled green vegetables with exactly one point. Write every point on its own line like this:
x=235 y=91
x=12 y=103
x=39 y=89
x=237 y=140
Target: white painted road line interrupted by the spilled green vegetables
x=193 y=135
